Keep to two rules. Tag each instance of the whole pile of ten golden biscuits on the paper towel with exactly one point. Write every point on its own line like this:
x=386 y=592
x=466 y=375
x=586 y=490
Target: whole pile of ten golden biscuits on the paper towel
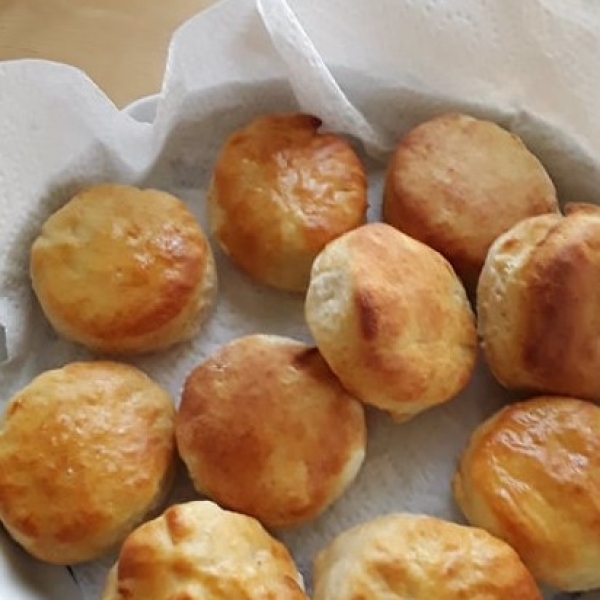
x=471 y=251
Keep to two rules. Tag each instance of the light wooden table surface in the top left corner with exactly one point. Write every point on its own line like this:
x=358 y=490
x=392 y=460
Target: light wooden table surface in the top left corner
x=121 y=44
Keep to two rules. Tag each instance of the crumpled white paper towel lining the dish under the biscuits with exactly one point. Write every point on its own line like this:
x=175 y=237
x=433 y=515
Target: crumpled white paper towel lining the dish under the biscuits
x=370 y=70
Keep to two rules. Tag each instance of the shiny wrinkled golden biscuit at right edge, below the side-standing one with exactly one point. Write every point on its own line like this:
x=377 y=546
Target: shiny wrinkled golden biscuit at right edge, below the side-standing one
x=531 y=476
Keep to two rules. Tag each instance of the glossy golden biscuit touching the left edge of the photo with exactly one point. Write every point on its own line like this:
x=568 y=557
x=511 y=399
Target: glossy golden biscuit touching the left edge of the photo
x=86 y=451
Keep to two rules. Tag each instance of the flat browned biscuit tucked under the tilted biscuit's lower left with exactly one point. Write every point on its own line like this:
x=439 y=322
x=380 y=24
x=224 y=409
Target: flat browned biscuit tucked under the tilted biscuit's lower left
x=265 y=428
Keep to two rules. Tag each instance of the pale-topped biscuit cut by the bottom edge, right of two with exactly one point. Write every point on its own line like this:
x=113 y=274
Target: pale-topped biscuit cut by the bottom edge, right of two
x=401 y=556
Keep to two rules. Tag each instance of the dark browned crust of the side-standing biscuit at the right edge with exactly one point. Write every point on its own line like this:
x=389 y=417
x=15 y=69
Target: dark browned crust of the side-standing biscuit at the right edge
x=561 y=344
